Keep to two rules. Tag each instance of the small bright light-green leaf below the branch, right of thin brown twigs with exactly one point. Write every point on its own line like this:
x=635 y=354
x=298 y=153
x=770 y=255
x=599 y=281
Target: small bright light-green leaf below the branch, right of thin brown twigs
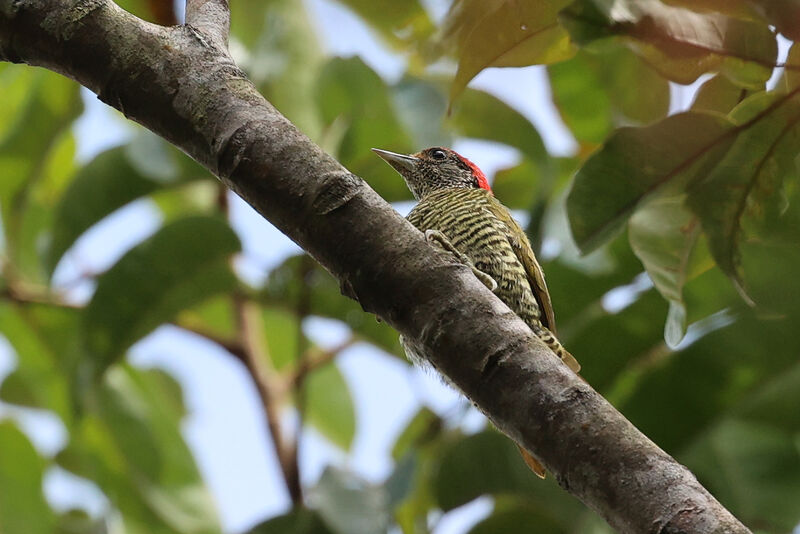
x=329 y=405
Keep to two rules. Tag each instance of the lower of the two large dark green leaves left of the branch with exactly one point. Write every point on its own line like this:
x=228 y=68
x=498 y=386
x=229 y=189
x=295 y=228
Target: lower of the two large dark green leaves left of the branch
x=183 y=264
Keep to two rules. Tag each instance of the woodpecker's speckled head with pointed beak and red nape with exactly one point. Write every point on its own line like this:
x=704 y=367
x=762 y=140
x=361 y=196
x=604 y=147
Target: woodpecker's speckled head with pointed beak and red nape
x=434 y=169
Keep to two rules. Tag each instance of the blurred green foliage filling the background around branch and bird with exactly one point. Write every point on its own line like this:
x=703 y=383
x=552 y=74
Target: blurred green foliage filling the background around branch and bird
x=705 y=201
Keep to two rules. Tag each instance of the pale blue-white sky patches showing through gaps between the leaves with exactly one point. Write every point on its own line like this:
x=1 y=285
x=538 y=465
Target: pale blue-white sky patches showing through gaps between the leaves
x=226 y=429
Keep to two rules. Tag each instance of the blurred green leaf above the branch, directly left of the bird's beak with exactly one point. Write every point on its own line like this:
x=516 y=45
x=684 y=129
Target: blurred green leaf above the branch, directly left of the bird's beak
x=349 y=91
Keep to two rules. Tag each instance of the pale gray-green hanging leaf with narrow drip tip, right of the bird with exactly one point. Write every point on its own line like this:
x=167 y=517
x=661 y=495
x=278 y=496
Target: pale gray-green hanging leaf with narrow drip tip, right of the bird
x=664 y=236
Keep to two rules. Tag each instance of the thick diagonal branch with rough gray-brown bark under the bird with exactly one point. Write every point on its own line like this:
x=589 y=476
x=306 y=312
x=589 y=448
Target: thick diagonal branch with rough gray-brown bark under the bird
x=181 y=83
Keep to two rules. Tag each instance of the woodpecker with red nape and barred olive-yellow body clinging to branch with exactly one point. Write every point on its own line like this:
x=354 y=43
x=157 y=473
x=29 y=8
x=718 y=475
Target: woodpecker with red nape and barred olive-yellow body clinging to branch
x=458 y=212
